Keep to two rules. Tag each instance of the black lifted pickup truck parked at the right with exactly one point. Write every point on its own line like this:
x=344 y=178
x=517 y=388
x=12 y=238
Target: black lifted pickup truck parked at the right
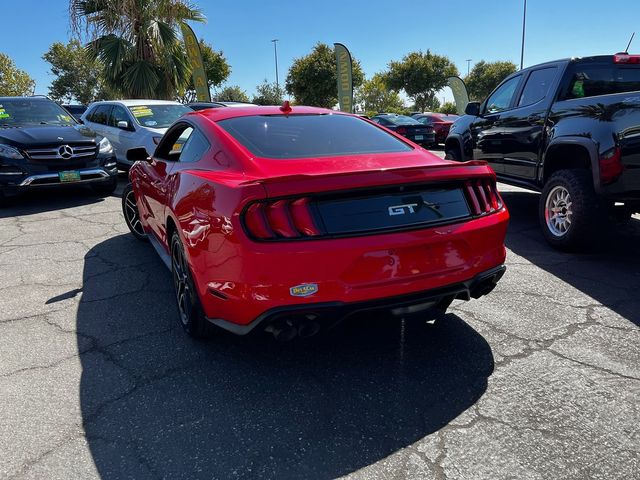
x=569 y=129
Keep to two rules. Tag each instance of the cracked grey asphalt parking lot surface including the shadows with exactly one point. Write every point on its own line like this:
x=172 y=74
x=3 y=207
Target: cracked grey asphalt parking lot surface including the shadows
x=538 y=380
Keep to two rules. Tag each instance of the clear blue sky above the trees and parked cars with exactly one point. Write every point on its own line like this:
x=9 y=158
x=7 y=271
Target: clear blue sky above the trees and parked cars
x=375 y=31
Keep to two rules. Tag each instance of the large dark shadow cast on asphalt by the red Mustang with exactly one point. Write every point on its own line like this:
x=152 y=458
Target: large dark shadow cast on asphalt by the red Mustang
x=156 y=403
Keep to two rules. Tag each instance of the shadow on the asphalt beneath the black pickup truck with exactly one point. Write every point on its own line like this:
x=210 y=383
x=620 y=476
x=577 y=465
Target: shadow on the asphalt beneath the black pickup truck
x=610 y=274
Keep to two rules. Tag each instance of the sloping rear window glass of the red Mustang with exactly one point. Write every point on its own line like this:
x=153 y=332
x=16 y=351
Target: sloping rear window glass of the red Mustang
x=305 y=136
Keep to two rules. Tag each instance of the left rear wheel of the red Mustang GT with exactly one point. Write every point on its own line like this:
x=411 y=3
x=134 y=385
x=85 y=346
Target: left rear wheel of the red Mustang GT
x=190 y=310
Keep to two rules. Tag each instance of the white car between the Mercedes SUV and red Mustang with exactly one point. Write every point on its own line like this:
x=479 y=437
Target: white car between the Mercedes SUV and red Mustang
x=132 y=123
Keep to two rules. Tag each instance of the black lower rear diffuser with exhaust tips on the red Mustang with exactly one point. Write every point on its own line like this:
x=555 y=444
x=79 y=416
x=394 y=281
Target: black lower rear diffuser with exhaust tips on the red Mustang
x=332 y=313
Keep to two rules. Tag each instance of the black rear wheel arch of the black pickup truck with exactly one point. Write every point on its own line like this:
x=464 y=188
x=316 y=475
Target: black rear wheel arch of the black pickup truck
x=570 y=153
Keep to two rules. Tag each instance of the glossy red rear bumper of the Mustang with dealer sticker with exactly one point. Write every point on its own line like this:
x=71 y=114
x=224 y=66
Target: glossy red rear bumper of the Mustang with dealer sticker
x=242 y=281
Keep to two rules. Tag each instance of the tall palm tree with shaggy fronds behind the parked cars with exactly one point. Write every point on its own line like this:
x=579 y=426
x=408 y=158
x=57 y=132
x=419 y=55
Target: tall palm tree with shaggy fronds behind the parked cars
x=137 y=42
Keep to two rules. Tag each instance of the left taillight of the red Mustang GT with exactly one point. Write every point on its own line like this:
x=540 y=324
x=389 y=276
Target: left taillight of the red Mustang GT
x=281 y=219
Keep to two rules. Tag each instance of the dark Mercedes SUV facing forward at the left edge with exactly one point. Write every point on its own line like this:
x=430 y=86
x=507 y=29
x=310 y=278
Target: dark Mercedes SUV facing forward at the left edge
x=42 y=145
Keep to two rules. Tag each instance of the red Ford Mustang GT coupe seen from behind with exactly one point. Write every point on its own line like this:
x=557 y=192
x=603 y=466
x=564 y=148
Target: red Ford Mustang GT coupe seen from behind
x=287 y=219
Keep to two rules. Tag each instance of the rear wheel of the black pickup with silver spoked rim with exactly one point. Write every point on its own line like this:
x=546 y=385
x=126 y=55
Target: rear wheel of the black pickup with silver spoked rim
x=571 y=214
